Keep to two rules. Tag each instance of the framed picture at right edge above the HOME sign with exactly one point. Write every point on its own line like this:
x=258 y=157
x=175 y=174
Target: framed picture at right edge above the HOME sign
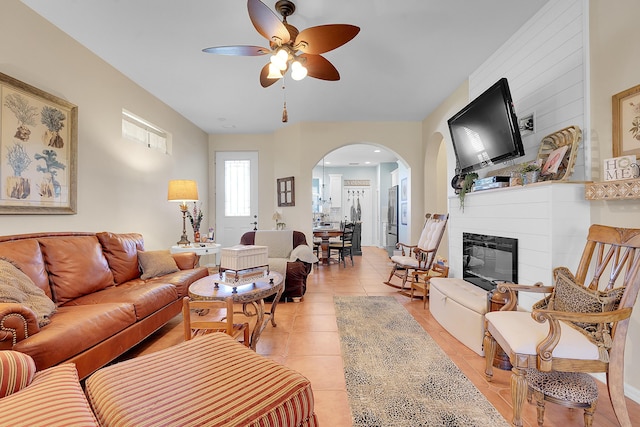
x=626 y=122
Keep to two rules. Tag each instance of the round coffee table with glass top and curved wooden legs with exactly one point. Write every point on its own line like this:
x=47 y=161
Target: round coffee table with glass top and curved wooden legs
x=250 y=295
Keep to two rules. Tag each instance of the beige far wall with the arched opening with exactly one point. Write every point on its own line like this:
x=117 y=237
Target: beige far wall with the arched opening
x=295 y=150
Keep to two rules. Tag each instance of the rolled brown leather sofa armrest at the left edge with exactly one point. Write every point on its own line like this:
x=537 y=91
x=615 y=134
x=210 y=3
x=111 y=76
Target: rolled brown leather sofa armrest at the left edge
x=17 y=322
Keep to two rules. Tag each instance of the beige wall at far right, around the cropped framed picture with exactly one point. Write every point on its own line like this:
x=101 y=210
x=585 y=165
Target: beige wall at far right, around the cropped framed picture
x=614 y=67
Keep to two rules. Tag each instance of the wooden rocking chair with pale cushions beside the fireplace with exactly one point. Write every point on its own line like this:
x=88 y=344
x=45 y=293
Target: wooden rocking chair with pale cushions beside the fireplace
x=418 y=259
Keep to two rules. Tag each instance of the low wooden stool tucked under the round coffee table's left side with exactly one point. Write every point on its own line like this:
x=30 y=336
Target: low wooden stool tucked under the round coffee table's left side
x=211 y=316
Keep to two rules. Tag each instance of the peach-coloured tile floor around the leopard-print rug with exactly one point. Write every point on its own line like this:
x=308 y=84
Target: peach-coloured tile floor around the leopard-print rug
x=306 y=339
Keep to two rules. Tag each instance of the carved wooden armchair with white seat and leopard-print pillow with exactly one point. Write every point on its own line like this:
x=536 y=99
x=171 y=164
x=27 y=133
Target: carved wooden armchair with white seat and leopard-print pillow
x=578 y=337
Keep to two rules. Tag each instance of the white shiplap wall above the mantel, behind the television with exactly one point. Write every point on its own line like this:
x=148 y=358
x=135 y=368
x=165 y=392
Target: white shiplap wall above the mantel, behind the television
x=546 y=64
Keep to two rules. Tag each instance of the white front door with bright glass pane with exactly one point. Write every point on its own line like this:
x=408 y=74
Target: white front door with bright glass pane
x=236 y=195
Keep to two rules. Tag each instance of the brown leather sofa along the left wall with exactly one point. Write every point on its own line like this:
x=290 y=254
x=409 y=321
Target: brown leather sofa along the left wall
x=103 y=306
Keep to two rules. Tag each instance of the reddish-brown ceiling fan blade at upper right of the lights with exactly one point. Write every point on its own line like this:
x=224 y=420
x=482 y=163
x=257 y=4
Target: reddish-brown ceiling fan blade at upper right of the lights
x=324 y=38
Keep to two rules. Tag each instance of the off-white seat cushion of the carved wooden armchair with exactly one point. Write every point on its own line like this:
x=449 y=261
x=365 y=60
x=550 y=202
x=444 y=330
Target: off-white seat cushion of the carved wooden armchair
x=507 y=328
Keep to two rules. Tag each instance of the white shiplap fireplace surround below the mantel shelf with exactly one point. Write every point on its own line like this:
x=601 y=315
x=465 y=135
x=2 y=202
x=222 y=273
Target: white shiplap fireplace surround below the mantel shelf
x=549 y=219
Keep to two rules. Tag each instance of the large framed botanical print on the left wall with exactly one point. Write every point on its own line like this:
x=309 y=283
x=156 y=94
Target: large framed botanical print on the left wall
x=38 y=150
